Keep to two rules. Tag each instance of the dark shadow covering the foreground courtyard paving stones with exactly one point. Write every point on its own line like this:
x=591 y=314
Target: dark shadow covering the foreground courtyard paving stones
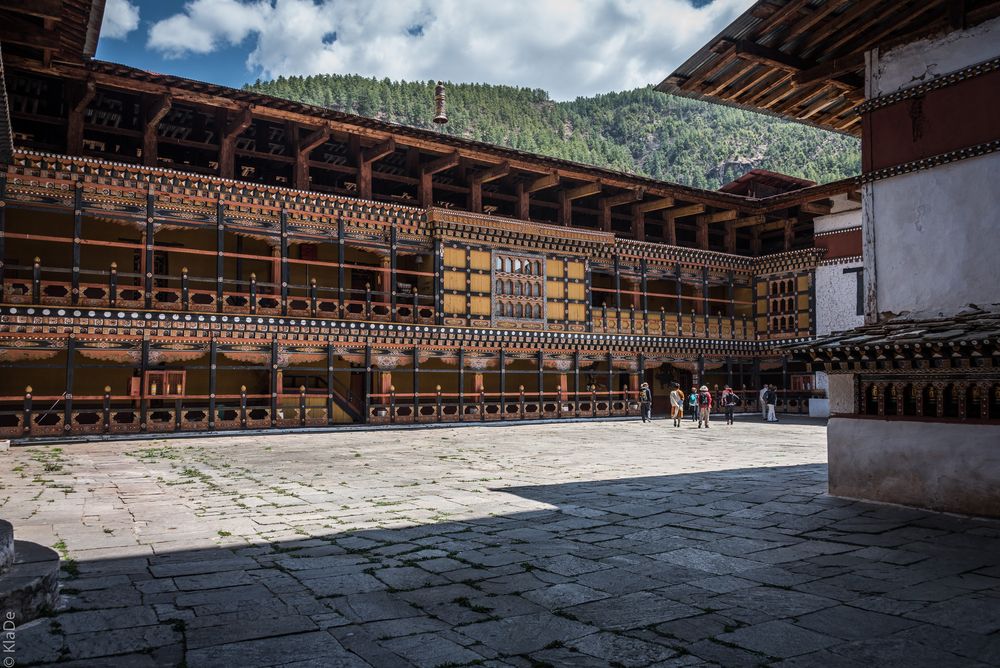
x=738 y=567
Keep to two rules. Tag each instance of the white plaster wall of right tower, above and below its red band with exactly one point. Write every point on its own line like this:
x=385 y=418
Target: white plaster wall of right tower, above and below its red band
x=931 y=239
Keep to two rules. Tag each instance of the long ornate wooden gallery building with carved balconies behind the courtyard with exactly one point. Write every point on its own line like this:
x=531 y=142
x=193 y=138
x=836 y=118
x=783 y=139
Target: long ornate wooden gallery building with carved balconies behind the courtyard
x=181 y=256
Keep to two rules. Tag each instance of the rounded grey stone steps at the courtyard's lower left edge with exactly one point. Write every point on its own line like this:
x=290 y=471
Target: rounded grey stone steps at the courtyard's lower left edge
x=29 y=577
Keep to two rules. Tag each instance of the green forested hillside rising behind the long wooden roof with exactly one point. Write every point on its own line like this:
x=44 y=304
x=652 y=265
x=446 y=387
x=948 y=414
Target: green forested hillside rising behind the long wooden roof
x=639 y=131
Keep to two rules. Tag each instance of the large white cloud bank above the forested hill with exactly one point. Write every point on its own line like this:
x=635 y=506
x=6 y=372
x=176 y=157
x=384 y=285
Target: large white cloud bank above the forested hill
x=568 y=47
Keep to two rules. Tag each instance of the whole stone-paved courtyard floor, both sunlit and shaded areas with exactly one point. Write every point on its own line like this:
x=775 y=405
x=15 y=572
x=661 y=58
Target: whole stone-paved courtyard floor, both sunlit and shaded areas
x=588 y=544
